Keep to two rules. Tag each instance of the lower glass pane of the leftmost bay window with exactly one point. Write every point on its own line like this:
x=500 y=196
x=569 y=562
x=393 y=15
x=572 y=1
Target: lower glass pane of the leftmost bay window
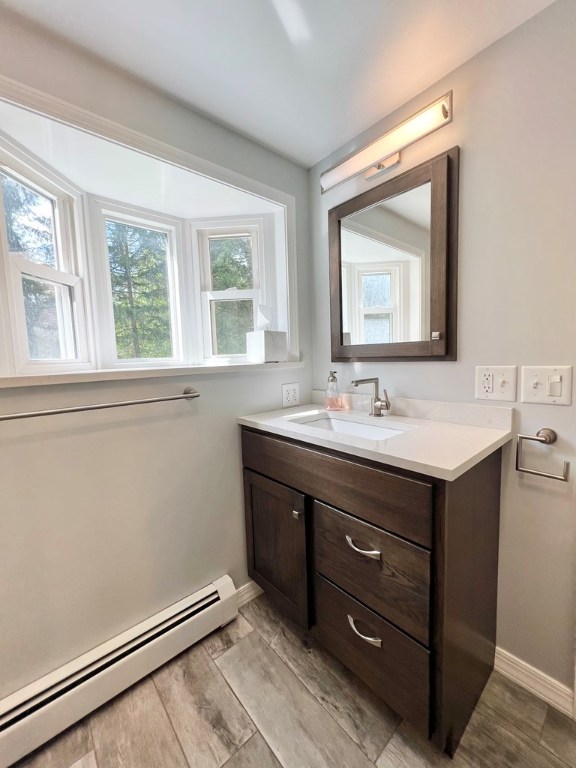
x=48 y=309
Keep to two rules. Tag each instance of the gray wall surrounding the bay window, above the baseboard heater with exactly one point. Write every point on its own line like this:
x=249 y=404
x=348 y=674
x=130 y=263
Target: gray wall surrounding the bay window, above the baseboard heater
x=108 y=517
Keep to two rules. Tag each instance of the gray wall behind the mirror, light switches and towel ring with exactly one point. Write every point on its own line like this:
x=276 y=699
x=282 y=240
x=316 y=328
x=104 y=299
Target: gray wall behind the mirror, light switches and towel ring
x=515 y=121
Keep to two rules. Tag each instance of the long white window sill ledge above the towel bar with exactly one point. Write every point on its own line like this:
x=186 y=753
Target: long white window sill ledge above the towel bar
x=82 y=377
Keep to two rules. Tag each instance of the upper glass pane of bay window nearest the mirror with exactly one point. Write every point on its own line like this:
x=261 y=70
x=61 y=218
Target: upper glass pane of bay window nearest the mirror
x=231 y=262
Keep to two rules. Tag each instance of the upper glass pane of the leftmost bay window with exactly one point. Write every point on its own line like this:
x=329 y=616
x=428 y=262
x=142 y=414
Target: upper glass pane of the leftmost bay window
x=29 y=222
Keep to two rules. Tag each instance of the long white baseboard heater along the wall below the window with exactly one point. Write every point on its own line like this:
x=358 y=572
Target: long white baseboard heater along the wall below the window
x=33 y=715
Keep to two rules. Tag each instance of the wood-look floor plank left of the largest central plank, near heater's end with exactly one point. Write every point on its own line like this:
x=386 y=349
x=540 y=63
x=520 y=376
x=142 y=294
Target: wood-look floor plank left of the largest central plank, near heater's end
x=209 y=721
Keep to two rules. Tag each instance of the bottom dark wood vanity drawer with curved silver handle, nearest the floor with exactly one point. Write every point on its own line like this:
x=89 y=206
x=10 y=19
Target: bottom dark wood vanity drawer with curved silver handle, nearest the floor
x=397 y=670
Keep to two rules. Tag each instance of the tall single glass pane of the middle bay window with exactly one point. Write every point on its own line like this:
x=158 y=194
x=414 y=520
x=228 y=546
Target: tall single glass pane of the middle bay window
x=139 y=271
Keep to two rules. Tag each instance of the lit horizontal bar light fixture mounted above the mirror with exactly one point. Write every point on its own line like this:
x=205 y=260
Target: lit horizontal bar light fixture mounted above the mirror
x=385 y=151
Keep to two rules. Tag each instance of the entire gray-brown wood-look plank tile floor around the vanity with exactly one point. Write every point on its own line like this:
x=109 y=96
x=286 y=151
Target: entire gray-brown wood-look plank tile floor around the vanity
x=260 y=694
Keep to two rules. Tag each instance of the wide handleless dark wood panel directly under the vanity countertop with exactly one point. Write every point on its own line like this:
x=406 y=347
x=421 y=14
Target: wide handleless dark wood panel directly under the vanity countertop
x=398 y=504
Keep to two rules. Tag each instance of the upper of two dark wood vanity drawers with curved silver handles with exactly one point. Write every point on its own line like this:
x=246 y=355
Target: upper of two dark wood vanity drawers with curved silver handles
x=395 y=582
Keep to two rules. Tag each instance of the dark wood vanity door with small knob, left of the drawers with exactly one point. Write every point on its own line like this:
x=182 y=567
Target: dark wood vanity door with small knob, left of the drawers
x=276 y=542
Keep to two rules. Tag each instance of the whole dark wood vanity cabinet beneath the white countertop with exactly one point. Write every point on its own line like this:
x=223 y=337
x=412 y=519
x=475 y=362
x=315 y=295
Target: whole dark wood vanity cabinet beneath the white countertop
x=394 y=572
